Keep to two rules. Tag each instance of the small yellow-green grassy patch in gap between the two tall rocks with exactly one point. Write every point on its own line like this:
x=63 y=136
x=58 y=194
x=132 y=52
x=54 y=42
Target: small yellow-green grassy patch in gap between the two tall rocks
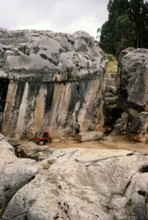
x=111 y=67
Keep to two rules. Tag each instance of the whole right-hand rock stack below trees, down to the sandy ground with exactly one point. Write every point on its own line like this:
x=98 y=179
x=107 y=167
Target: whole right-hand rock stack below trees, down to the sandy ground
x=132 y=85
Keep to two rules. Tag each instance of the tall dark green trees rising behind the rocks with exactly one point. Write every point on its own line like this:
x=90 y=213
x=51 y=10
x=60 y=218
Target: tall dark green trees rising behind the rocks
x=127 y=26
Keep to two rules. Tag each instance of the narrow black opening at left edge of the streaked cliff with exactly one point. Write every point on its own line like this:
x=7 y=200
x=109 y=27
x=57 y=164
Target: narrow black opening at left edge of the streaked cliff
x=4 y=82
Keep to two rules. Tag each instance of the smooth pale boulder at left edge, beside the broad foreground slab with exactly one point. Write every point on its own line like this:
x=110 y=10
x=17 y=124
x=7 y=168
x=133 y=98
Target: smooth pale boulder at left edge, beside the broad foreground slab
x=14 y=173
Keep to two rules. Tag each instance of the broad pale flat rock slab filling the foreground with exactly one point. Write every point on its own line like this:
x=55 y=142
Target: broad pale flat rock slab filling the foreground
x=83 y=184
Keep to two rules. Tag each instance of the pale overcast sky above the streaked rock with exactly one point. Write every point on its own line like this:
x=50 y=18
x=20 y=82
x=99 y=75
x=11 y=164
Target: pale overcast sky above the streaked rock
x=56 y=15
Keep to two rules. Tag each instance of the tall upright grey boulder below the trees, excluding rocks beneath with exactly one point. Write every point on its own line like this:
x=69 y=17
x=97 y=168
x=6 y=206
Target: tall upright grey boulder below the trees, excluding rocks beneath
x=132 y=81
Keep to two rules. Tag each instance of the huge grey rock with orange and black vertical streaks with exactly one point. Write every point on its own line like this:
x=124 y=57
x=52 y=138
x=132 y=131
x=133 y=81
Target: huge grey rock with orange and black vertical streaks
x=53 y=78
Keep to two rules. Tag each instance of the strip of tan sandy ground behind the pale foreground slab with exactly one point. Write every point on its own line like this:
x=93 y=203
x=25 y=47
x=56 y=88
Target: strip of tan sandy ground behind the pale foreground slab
x=113 y=142
